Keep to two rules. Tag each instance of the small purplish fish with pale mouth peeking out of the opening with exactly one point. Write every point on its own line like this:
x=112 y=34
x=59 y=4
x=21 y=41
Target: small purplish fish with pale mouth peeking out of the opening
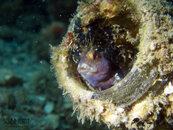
x=96 y=70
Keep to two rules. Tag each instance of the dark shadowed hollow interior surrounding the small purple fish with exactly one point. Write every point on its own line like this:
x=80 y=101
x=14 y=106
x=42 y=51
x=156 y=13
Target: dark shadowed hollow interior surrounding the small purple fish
x=116 y=39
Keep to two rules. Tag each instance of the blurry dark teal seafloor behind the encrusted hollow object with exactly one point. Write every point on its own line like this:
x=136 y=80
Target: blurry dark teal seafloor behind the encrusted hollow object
x=29 y=93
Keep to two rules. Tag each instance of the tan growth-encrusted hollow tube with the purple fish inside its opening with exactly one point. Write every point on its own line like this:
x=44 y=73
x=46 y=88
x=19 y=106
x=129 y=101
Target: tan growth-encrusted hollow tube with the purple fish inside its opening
x=116 y=62
